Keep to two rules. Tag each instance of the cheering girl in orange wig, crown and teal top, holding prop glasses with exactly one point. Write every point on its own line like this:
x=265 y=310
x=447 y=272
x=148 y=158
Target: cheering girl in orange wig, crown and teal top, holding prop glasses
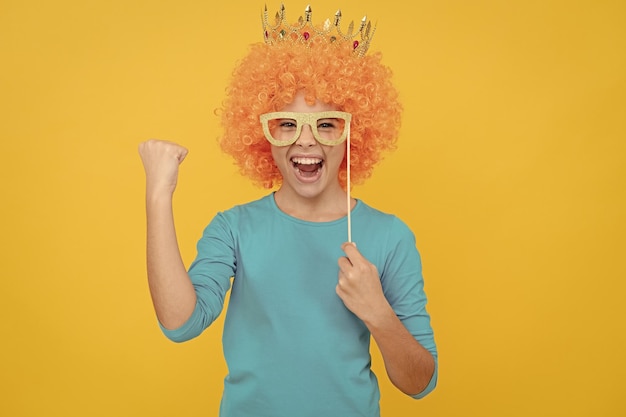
x=307 y=113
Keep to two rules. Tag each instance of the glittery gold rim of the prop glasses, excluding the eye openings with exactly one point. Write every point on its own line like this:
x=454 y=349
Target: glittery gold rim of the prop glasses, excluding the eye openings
x=310 y=119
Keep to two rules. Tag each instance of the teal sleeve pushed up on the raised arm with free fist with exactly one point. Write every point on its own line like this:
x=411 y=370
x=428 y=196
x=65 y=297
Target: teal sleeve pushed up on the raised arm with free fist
x=211 y=278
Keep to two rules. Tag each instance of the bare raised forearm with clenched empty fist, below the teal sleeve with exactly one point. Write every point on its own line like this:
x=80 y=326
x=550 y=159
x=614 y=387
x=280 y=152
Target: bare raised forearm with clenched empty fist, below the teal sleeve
x=173 y=294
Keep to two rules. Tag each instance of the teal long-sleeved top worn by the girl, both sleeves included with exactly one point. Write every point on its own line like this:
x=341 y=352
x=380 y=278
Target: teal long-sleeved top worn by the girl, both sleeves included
x=291 y=346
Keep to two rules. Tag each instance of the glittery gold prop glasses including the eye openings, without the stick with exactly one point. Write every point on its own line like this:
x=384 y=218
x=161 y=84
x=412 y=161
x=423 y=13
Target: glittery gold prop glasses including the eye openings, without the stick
x=284 y=128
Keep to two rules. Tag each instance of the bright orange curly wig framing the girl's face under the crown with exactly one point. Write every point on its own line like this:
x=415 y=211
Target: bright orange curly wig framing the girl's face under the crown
x=269 y=77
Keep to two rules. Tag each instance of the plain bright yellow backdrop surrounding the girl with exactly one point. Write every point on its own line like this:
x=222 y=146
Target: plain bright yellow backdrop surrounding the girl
x=510 y=170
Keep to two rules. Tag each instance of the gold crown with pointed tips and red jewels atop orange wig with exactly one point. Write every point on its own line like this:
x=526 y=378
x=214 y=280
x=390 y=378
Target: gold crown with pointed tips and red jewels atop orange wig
x=305 y=32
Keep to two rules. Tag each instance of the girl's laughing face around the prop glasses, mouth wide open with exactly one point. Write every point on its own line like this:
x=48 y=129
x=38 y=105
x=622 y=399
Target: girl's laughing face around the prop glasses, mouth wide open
x=309 y=169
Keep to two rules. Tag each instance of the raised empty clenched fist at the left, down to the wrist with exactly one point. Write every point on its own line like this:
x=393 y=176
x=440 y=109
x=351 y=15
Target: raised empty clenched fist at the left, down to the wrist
x=160 y=161
